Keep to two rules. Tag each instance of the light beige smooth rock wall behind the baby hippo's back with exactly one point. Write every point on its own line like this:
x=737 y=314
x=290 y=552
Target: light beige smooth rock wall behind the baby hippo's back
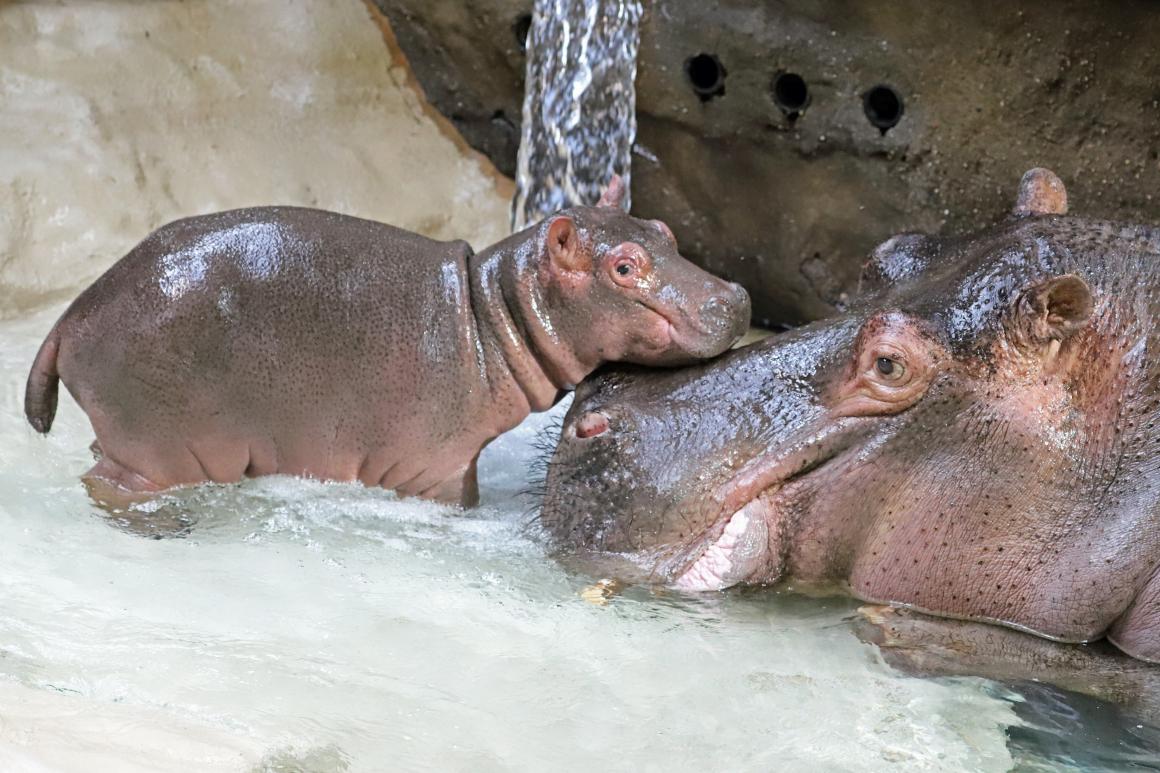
x=119 y=117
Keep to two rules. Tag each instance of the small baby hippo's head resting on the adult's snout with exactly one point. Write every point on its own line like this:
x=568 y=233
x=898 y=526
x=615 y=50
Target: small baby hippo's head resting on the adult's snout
x=619 y=291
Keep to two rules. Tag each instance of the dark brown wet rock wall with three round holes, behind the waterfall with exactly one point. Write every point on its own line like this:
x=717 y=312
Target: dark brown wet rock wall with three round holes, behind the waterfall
x=784 y=141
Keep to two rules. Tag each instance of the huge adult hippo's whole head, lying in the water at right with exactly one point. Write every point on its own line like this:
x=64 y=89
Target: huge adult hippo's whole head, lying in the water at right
x=977 y=438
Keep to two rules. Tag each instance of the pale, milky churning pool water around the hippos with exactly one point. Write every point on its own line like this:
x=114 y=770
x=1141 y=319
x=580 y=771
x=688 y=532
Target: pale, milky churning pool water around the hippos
x=301 y=626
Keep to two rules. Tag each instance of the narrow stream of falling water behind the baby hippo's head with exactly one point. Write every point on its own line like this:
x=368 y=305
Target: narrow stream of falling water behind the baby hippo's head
x=579 y=105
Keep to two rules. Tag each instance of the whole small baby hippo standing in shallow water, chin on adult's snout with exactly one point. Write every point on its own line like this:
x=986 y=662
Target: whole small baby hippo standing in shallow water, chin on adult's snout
x=300 y=342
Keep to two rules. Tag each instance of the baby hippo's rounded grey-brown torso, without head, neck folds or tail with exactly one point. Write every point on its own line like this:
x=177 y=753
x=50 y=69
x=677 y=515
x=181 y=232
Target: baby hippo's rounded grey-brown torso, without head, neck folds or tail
x=277 y=341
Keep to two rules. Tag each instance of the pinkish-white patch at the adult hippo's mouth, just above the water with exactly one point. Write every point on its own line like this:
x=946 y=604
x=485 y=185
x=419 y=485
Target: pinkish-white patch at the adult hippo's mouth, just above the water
x=735 y=557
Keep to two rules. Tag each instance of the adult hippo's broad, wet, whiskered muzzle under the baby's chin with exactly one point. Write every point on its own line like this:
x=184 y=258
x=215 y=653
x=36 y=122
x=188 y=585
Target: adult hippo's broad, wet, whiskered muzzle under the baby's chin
x=681 y=472
